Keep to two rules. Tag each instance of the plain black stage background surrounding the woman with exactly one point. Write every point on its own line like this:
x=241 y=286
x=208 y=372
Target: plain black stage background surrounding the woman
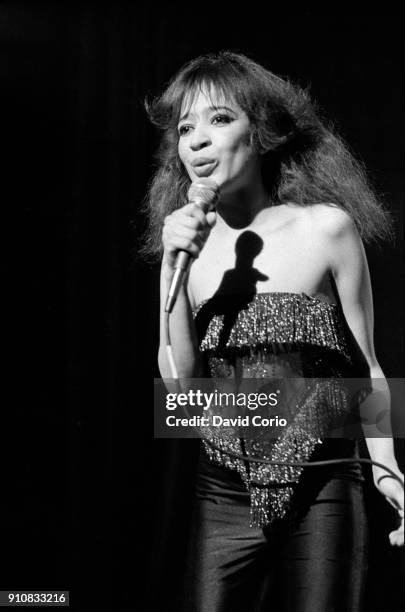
x=90 y=500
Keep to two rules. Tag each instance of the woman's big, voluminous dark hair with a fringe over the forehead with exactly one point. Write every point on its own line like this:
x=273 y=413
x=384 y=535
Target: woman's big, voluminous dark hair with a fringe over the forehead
x=304 y=160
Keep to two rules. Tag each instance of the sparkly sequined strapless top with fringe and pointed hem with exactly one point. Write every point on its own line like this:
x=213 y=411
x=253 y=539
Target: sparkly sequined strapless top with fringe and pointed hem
x=288 y=336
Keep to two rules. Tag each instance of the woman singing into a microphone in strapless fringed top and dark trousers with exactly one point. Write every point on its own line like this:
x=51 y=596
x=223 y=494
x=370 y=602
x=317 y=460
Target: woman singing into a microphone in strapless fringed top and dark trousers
x=278 y=287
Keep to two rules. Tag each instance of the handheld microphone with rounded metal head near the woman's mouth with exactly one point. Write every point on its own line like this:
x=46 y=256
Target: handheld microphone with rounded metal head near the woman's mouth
x=205 y=193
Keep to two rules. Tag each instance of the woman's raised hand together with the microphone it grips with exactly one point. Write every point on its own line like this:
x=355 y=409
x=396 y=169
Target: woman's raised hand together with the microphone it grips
x=186 y=230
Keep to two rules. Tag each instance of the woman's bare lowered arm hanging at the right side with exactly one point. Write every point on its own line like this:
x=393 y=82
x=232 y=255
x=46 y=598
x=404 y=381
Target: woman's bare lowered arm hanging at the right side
x=349 y=267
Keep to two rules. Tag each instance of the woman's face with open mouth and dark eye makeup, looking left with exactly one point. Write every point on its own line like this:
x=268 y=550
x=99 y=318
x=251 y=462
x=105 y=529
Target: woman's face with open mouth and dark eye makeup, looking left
x=214 y=141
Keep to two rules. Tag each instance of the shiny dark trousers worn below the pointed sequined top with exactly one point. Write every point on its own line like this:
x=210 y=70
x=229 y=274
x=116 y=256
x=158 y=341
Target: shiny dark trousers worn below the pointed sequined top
x=316 y=563
